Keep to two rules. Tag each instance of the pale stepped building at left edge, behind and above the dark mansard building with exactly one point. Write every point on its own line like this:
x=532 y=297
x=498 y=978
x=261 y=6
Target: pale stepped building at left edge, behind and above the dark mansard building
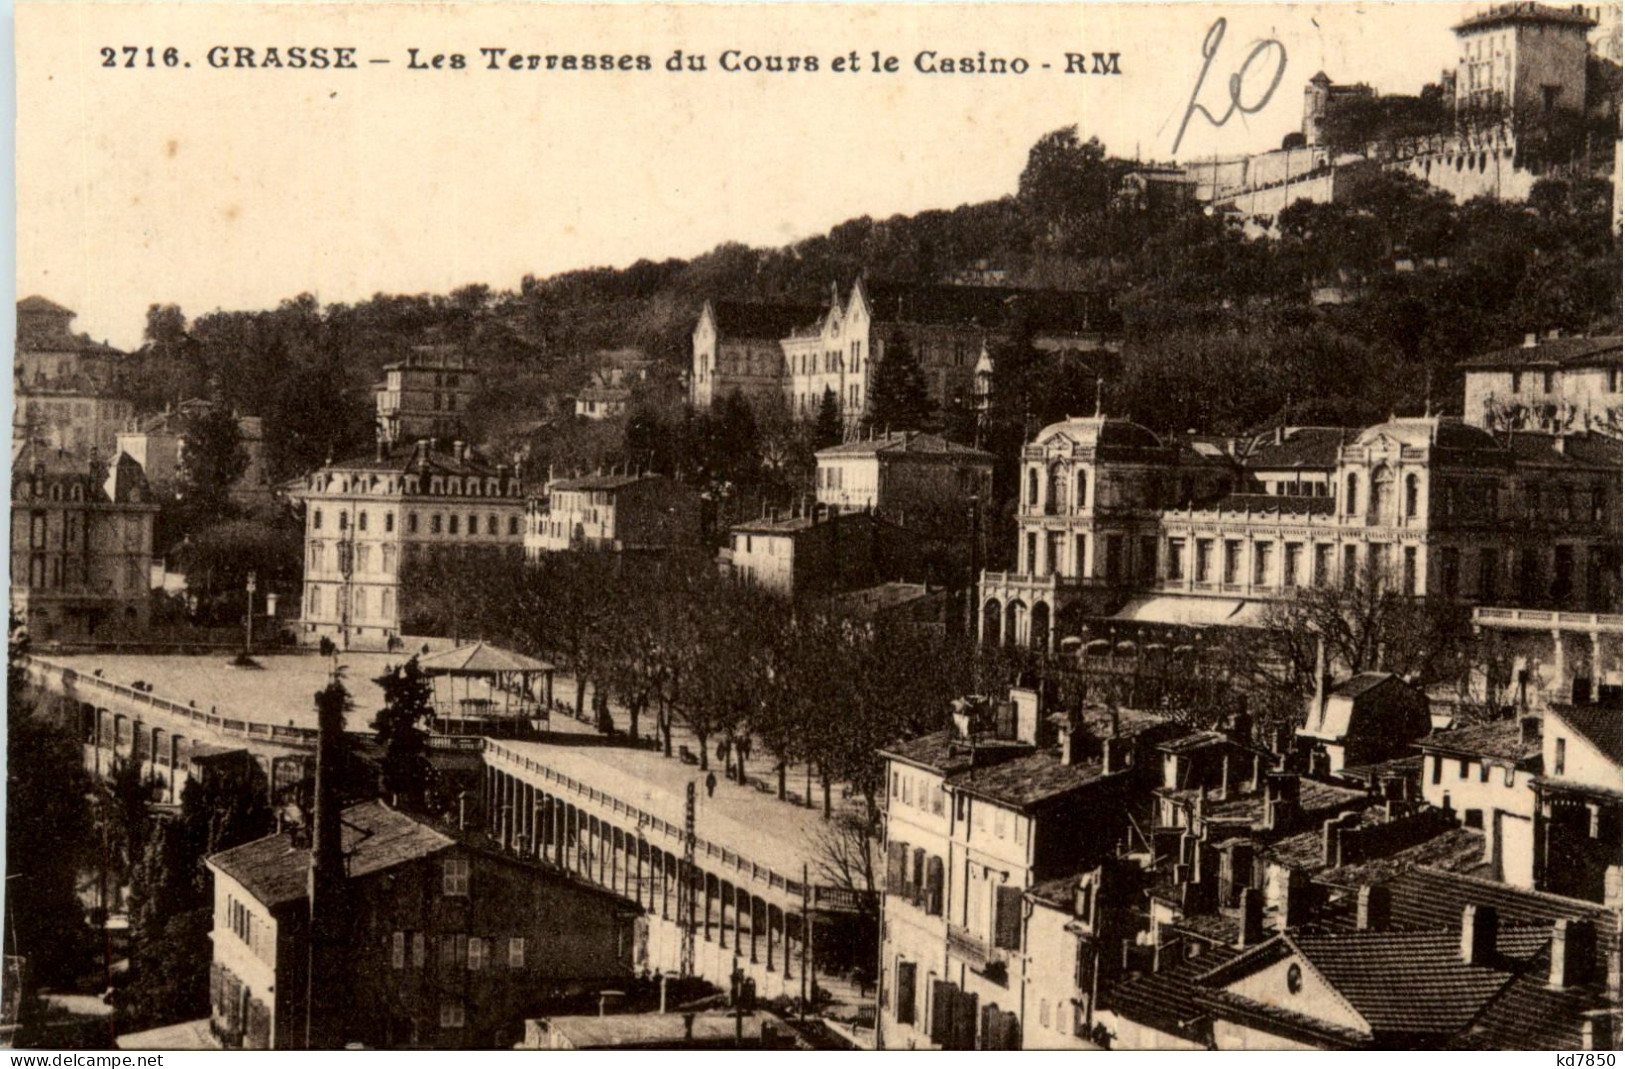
x=64 y=384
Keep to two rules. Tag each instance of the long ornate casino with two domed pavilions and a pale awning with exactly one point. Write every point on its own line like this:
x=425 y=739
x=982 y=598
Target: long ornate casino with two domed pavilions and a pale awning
x=1202 y=534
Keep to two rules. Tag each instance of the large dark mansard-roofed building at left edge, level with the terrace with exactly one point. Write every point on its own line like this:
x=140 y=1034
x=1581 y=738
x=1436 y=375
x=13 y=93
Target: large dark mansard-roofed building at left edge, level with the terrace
x=82 y=545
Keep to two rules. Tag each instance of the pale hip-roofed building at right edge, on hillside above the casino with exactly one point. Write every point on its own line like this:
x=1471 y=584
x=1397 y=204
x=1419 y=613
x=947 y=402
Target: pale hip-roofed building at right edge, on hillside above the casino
x=1553 y=384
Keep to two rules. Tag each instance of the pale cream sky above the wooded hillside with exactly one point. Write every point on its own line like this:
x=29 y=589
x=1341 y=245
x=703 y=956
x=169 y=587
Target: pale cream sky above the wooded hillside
x=235 y=189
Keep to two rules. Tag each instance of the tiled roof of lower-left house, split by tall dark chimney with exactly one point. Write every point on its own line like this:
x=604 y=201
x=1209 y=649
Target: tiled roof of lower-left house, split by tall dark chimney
x=375 y=839
